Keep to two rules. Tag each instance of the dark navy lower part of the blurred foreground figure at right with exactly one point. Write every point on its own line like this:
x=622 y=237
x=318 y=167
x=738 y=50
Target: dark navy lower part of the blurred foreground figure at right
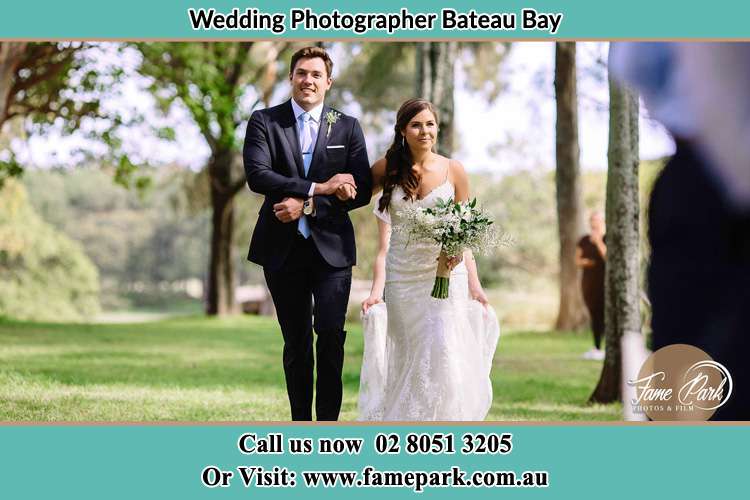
x=699 y=274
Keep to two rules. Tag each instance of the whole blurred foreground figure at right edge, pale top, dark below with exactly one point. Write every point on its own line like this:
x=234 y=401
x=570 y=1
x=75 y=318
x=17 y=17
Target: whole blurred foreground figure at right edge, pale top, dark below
x=699 y=213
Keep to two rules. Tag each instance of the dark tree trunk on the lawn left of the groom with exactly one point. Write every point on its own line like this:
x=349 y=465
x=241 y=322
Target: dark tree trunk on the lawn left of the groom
x=221 y=280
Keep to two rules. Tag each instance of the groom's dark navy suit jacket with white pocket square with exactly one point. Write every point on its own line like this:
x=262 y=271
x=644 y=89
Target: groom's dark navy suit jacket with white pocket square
x=274 y=168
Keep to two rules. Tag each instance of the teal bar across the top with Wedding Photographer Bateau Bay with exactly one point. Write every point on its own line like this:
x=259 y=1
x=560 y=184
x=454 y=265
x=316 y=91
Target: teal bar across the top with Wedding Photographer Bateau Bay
x=322 y=20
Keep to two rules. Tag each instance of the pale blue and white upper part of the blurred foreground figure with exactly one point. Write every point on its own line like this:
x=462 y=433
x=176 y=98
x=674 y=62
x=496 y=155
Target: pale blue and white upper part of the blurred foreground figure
x=699 y=92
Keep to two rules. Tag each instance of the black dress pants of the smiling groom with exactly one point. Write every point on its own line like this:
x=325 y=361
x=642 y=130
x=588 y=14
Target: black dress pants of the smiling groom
x=304 y=278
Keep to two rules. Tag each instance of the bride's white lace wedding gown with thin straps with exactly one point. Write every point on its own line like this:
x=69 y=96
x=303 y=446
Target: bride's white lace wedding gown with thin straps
x=425 y=358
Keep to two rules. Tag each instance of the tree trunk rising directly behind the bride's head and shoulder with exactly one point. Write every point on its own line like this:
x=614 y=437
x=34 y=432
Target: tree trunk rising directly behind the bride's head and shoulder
x=435 y=81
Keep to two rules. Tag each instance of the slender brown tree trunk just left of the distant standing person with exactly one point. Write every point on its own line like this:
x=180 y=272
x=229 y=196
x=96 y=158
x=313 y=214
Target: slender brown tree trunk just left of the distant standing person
x=572 y=313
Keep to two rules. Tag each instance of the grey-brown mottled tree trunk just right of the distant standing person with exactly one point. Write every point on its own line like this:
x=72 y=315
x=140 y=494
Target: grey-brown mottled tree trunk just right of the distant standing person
x=621 y=308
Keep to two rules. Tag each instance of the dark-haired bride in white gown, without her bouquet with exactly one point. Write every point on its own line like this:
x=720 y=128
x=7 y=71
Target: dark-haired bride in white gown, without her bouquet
x=425 y=358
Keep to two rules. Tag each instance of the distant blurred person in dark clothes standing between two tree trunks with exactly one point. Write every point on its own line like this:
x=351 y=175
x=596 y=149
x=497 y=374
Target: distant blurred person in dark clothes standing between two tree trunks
x=590 y=256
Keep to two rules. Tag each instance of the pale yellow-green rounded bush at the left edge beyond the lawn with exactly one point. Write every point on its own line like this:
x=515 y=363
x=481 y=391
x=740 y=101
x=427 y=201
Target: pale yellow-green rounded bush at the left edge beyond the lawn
x=44 y=275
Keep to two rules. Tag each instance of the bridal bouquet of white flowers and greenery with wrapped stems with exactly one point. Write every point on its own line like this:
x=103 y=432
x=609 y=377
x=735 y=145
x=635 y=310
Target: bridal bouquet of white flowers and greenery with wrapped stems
x=455 y=227
